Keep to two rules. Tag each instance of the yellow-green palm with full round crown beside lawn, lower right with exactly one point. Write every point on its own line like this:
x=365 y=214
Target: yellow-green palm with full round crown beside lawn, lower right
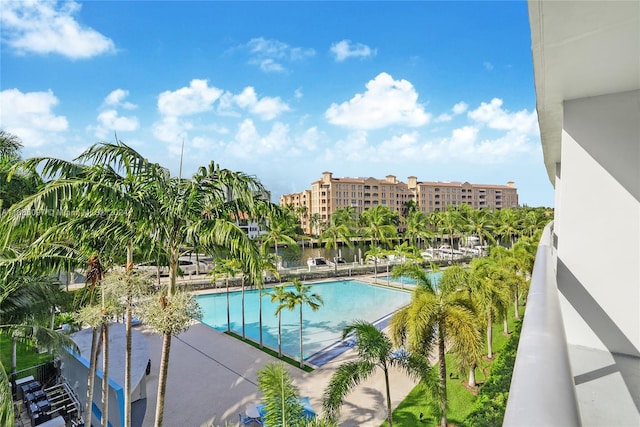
x=435 y=318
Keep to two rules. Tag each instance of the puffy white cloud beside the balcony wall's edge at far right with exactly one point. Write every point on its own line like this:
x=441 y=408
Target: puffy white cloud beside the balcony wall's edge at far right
x=495 y=117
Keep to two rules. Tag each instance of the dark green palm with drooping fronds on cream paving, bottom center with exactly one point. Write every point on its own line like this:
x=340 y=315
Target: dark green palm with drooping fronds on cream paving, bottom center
x=375 y=350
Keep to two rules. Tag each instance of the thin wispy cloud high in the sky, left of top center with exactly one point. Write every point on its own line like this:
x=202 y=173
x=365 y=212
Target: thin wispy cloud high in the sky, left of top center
x=270 y=54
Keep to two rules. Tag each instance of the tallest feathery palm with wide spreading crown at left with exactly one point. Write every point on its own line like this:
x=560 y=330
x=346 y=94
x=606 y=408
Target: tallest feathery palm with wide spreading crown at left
x=161 y=208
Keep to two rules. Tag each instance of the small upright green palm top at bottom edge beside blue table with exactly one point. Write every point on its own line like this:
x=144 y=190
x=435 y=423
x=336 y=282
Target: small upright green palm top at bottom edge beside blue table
x=282 y=406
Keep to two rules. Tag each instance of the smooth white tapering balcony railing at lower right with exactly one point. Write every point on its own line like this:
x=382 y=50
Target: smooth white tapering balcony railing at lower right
x=542 y=391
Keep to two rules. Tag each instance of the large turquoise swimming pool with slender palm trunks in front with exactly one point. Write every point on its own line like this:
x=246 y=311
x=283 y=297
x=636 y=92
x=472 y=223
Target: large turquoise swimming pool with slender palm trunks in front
x=344 y=302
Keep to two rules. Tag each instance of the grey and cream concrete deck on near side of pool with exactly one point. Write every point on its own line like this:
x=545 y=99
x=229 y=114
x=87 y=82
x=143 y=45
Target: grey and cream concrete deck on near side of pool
x=212 y=377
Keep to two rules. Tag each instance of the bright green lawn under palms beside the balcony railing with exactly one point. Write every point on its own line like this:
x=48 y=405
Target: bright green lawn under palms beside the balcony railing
x=460 y=399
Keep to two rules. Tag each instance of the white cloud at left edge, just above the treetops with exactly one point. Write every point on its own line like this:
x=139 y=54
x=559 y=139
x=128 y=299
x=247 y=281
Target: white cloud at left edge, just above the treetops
x=29 y=116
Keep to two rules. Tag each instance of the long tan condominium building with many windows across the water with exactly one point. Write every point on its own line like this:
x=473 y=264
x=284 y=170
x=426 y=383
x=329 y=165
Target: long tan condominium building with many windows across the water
x=329 y=194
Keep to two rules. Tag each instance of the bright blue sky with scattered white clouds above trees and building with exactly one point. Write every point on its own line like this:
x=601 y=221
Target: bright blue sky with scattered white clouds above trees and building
x=281 y=90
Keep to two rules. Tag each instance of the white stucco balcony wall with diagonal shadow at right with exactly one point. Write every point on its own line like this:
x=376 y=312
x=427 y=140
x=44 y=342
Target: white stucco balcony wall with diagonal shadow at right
x=598 y=222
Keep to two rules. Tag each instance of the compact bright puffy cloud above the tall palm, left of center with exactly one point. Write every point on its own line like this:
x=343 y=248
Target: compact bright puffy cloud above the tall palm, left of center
x=198 y=97
